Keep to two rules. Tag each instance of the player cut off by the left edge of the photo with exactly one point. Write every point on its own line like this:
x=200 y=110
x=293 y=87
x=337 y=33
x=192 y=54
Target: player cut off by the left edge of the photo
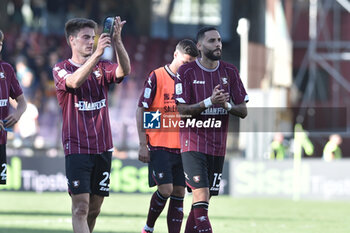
x=9 y=87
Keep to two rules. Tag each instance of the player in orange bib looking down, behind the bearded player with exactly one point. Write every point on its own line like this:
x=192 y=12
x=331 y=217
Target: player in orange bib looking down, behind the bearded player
x=161 y=148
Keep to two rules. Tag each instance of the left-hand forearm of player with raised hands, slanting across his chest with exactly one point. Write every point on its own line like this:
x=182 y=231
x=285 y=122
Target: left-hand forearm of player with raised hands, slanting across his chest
x=77 y=79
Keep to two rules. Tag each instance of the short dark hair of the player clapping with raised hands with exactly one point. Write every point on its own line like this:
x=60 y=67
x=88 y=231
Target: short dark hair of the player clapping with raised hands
x=73 y=26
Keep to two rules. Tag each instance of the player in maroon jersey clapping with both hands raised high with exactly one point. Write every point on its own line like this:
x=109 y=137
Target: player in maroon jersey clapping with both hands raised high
x=82 y=91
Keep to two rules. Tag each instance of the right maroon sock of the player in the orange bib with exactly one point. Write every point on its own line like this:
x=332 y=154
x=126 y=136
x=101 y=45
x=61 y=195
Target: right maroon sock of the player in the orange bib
x=175 y=214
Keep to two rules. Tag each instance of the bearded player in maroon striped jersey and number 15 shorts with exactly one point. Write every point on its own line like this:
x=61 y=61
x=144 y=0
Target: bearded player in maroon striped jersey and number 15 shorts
x=208 y=90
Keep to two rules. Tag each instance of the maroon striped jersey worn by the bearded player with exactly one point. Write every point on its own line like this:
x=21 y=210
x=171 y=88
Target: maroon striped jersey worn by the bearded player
x=193 y=84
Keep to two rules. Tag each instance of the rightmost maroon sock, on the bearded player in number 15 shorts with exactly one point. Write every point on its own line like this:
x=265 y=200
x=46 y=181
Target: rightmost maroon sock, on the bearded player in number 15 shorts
x=200 y=210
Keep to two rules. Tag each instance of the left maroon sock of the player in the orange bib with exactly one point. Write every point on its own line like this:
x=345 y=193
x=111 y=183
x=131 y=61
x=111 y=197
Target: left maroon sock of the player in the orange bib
x=156 y=207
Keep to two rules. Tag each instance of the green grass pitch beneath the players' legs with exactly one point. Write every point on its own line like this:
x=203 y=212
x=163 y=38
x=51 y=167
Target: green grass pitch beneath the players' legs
x=25 y=212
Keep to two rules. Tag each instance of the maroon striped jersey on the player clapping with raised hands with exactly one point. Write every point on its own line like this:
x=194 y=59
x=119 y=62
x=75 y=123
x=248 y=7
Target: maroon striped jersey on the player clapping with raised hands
x=86 y=125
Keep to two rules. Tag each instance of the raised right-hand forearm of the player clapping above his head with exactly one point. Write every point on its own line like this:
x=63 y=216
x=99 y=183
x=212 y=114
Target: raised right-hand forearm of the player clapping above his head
x=122 y=59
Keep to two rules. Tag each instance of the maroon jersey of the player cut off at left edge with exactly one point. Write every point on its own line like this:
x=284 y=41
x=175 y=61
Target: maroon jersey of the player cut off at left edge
x=9 y=87
